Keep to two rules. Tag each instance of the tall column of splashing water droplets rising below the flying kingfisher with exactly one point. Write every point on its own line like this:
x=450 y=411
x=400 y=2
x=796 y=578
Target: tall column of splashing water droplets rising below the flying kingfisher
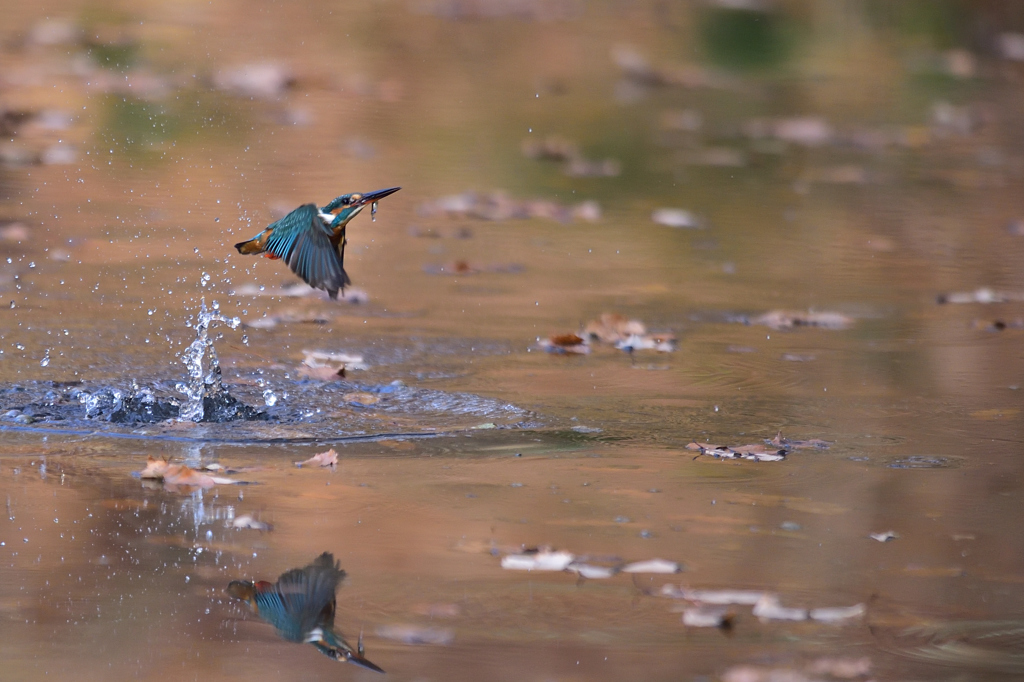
x=201 y=362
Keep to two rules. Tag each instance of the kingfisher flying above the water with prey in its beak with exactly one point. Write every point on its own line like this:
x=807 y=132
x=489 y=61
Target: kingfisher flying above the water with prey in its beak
x=313 y=241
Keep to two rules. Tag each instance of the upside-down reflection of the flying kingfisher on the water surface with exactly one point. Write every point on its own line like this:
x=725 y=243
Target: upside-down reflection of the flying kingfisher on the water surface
x=302 y=606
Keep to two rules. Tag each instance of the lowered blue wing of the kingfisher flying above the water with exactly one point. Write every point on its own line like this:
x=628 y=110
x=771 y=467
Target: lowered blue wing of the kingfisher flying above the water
x=302 y=240
